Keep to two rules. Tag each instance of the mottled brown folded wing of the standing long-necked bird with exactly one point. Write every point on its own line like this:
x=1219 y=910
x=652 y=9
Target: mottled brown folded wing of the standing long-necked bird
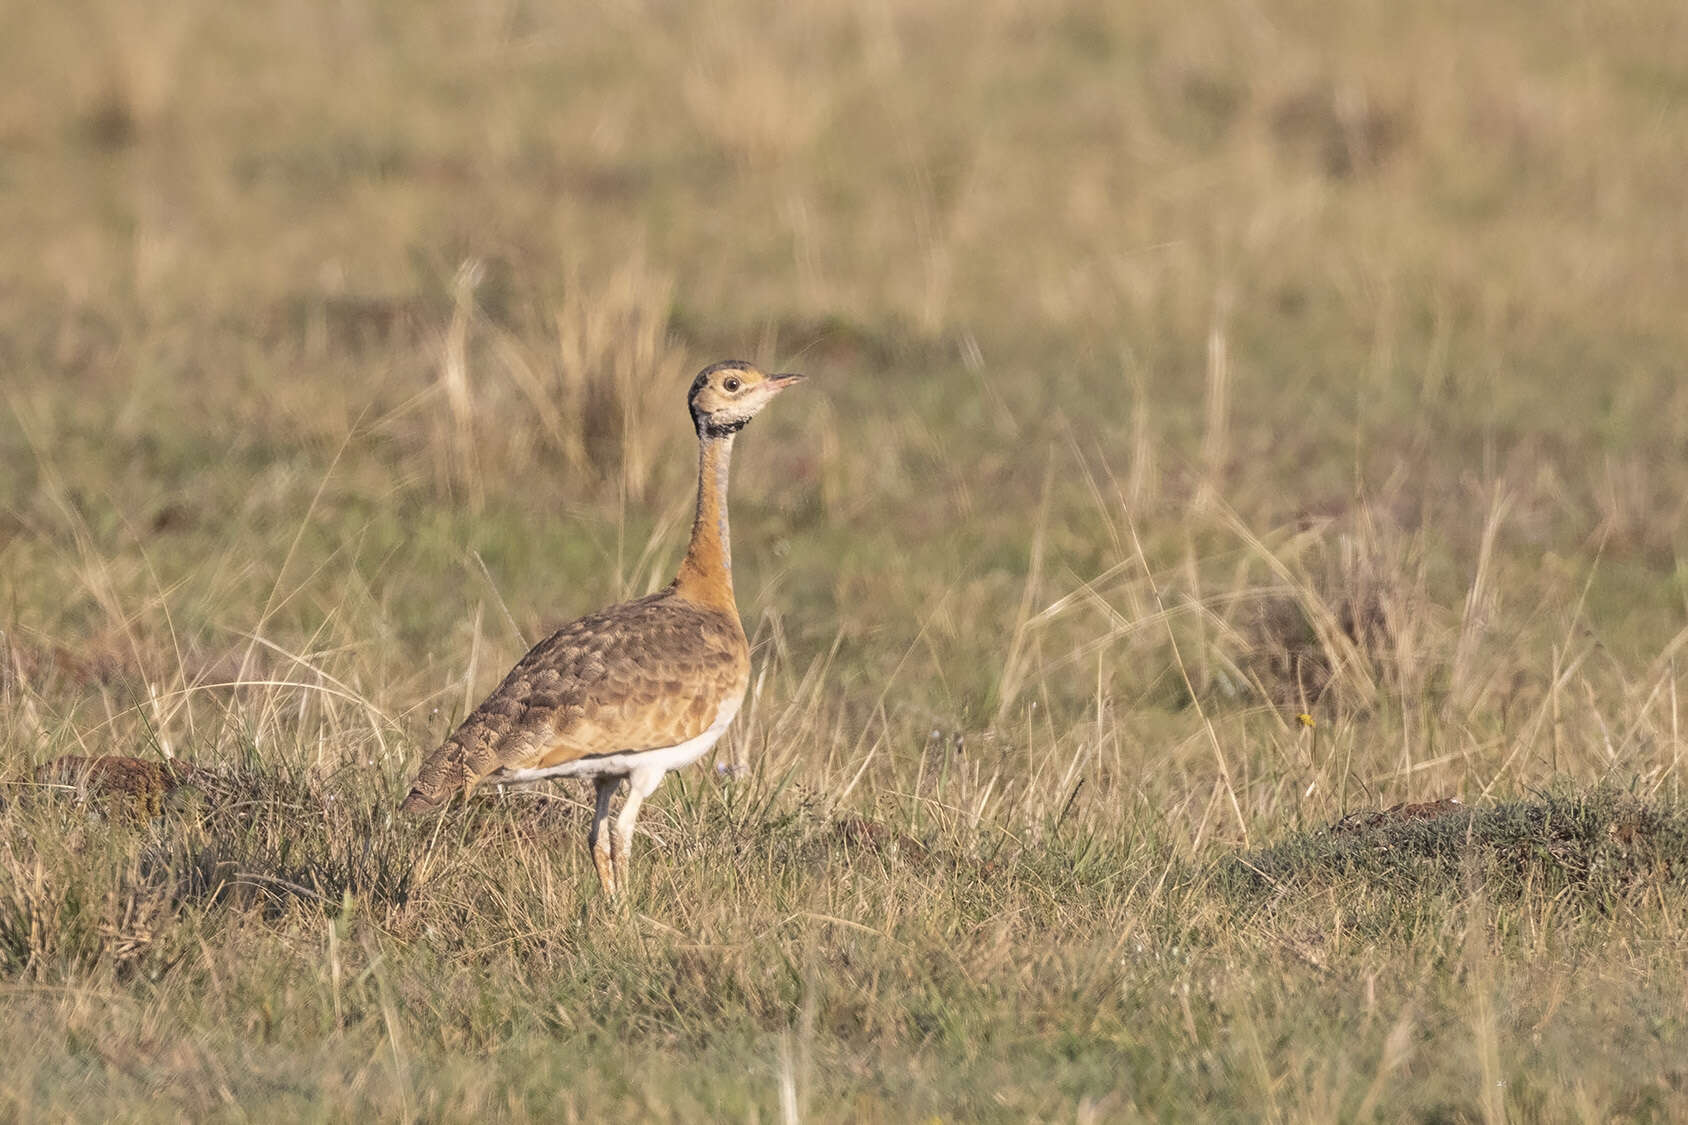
x=637 y=677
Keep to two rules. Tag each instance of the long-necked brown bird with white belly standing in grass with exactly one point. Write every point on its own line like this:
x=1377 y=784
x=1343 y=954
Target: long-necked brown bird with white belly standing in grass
x=634 y=692
